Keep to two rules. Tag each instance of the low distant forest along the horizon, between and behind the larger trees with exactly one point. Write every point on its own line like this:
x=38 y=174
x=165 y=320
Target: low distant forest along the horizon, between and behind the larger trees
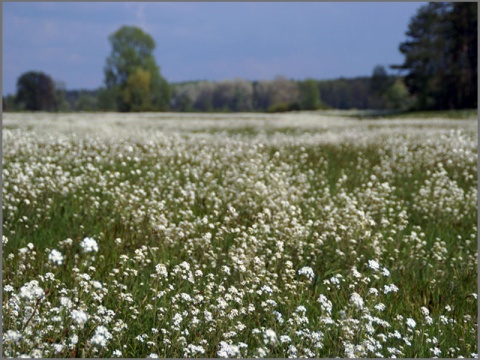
x=276 y=95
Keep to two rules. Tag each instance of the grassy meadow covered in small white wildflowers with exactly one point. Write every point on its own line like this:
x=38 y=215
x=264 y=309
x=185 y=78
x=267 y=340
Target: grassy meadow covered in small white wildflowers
x=289 y=235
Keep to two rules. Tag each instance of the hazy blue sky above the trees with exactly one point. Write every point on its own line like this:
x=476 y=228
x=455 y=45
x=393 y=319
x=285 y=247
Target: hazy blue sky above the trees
x=211 y=41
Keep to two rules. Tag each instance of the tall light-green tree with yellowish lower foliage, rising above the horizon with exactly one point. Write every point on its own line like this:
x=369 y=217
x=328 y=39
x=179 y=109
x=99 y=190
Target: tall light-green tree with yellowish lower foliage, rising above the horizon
x=132 y=75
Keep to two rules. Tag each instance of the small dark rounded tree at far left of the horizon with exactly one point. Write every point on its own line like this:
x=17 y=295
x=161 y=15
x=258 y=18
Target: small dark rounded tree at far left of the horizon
x=36 y=92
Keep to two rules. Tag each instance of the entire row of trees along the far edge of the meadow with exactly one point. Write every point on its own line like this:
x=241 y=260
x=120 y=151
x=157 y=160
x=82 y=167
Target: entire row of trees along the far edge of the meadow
x=439 y=72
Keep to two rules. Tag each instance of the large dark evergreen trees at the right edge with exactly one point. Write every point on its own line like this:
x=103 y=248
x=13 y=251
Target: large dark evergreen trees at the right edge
x=441 y=56
